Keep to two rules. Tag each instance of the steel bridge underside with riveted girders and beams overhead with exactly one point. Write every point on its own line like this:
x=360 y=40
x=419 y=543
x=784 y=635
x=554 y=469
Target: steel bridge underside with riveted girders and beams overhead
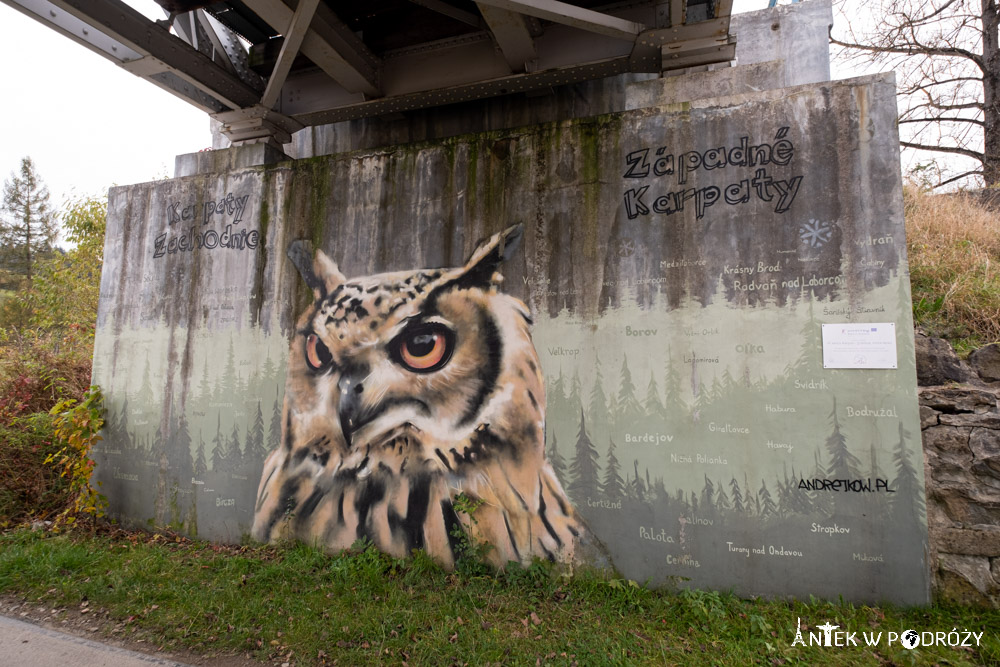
x=267 y=68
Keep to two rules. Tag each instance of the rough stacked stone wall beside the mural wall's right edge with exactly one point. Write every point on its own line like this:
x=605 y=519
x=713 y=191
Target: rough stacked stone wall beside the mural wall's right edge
x=960 y=421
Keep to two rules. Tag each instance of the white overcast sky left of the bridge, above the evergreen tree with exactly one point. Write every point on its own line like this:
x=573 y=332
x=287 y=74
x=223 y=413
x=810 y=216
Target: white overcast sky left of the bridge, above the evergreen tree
x=86 y=123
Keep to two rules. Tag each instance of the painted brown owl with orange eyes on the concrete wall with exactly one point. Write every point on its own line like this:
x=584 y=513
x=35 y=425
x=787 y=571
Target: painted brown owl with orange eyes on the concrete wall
x=406 y=390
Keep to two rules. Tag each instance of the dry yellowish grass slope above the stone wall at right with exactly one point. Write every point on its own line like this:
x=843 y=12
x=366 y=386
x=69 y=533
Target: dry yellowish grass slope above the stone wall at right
x=954 y=252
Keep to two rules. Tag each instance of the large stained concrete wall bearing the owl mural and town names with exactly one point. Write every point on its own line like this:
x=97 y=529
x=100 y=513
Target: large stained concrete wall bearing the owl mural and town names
x=678 y=263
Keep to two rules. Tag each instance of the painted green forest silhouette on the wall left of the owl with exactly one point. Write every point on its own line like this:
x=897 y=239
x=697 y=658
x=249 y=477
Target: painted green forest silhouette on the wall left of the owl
x=206 y=473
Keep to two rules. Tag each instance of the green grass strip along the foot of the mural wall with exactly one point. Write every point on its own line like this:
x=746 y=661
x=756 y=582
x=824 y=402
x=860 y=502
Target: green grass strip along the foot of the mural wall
x=301 y=606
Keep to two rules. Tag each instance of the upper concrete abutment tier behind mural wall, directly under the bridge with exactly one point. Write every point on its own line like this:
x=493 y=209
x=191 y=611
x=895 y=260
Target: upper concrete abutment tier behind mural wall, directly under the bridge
x=792 y=40
